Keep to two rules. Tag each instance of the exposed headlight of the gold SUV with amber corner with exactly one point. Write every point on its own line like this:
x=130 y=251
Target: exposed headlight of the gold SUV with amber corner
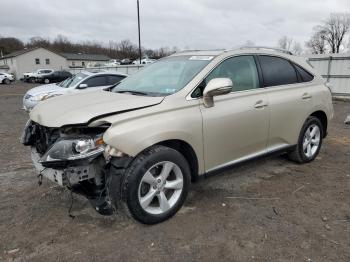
x=74 y=148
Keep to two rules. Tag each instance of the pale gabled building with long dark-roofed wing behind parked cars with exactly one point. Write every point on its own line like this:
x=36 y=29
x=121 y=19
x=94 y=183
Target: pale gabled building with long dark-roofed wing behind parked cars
x=29 y=60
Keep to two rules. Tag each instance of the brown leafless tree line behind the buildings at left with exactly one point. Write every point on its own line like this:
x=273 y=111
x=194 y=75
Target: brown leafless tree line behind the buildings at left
x=61 y=44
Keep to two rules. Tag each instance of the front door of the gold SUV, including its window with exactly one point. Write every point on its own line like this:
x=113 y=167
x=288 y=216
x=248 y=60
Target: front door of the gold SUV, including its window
x=236 y=127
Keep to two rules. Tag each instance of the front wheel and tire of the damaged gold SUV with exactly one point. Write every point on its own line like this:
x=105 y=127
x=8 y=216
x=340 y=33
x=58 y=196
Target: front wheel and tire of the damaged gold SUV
x=154 y=179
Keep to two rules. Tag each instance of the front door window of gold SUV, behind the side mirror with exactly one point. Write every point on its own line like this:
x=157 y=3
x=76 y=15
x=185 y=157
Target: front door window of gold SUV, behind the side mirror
x=240 y=69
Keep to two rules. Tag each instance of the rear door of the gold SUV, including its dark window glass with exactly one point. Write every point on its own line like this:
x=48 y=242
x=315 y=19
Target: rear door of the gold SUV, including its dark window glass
x=289 y=99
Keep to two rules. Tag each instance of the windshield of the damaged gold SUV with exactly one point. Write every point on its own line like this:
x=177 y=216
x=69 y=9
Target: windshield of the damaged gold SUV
x=164 y=77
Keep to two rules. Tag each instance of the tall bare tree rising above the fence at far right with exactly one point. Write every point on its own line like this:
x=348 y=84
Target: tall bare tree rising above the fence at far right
x=335 y=29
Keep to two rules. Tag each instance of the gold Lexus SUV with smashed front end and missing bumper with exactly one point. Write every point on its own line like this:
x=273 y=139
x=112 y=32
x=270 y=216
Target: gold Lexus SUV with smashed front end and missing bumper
x=139 y=145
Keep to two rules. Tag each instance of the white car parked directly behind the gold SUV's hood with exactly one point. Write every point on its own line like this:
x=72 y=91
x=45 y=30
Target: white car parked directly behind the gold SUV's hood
x=83 y=81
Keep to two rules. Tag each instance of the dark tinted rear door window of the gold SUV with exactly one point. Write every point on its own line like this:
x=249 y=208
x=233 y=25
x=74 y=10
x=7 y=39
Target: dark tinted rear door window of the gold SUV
x=277 y=71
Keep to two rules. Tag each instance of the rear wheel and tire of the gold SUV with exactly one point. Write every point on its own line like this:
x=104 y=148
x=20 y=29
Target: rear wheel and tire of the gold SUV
x=304 y=153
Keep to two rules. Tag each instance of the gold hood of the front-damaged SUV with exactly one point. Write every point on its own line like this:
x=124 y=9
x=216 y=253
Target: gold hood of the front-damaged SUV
x=82 y=107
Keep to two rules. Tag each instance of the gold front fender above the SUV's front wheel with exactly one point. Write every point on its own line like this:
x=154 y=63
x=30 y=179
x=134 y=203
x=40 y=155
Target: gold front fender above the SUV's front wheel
x=136 y=134
